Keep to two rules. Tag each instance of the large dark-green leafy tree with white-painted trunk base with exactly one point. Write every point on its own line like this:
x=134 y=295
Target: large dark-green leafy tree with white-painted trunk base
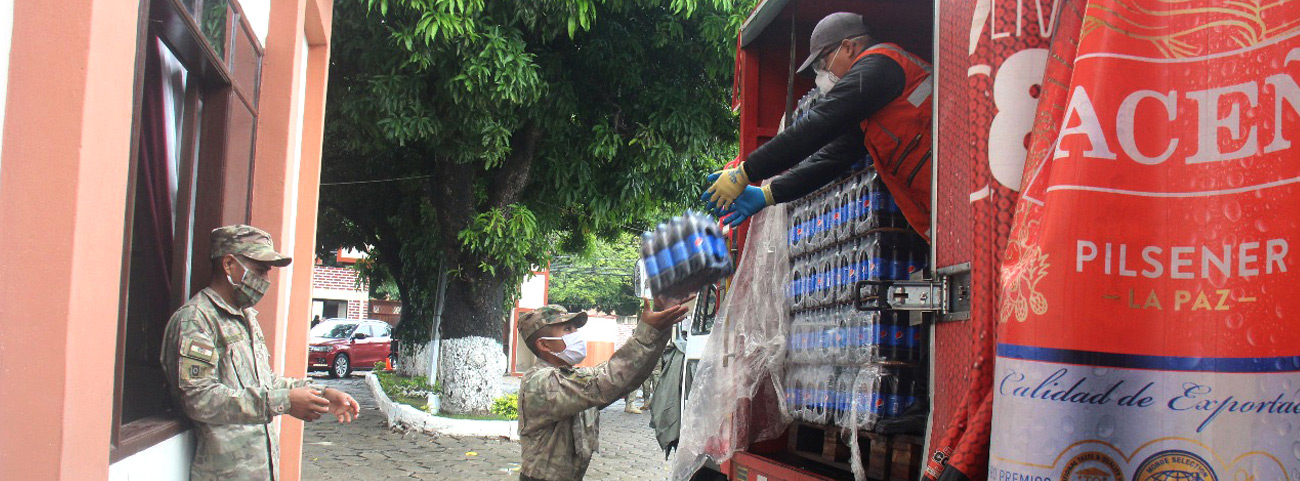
x=505 y=132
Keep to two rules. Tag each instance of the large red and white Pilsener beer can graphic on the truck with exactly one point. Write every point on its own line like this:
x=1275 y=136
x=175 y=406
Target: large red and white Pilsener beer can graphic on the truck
x=1150 y=323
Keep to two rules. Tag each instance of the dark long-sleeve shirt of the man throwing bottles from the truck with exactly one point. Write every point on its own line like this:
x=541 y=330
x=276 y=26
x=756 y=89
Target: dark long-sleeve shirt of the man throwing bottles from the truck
x=831 y=133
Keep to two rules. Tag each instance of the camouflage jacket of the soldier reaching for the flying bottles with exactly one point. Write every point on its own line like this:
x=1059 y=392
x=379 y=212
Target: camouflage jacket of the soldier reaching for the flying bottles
x=558 y=408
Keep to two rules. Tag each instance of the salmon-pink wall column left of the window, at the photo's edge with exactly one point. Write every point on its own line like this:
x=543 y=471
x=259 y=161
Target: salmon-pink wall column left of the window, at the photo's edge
x=62 y=285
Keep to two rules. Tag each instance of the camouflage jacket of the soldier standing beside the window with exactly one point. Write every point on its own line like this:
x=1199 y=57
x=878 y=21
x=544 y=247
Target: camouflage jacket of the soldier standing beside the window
x=219 y=369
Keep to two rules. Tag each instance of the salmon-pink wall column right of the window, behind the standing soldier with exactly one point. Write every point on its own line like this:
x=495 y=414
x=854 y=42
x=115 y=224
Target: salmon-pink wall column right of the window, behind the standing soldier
x=287 y=181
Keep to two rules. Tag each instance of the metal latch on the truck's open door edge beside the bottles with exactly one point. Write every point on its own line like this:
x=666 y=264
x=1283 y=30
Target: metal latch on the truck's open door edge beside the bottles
x=950 y=296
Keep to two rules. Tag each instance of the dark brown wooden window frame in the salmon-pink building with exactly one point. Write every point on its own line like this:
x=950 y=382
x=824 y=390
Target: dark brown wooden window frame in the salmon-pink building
x=206 y=155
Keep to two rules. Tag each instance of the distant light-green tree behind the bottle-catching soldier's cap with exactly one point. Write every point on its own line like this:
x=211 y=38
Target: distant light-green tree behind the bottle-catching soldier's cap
x=600 y=279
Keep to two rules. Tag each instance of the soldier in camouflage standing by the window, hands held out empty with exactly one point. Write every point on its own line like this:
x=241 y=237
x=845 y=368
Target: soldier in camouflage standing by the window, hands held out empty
x=219 y=367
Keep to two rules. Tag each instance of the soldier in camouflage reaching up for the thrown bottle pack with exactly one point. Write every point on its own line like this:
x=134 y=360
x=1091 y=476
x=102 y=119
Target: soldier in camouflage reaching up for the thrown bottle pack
x=558 y=404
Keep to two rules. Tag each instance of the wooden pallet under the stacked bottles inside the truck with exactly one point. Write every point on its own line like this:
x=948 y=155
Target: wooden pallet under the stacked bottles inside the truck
x=886 y=458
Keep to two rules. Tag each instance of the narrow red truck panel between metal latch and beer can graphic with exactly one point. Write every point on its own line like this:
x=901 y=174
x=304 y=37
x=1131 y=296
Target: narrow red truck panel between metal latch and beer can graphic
x=991 y=63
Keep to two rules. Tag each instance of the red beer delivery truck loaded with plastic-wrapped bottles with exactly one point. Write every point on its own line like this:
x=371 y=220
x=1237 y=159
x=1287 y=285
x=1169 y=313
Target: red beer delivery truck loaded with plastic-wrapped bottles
x=844 y=348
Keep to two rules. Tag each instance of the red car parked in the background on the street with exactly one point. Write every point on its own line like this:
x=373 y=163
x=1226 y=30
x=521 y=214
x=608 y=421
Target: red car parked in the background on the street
x=340 y=346
